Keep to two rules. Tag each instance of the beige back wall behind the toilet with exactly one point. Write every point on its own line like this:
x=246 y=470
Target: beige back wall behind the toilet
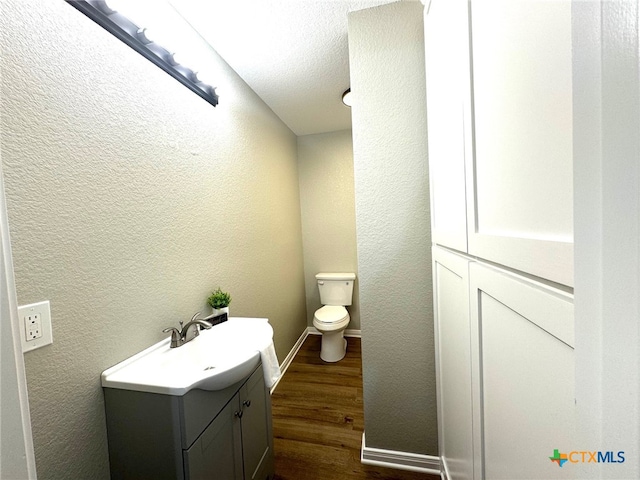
x=325 y=164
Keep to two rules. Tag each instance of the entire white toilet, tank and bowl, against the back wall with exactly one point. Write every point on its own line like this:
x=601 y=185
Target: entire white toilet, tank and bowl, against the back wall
x=331 y=320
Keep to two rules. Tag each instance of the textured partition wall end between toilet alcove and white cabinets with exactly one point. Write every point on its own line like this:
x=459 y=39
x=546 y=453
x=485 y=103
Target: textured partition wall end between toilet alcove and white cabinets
x=386 y=51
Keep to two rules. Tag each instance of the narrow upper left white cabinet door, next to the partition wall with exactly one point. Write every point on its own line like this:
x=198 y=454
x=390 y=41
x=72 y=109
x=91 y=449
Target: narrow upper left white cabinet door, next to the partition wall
x=447 y=63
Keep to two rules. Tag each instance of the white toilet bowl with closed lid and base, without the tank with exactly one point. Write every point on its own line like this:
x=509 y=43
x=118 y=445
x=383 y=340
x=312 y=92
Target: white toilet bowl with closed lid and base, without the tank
x=331 y=321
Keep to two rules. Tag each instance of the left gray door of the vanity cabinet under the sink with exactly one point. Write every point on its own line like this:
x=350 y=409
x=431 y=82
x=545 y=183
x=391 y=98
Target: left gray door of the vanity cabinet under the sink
x=217 y=454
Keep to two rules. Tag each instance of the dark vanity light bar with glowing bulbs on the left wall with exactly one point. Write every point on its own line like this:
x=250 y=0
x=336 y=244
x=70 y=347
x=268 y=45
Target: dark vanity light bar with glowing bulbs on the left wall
x=130 y=33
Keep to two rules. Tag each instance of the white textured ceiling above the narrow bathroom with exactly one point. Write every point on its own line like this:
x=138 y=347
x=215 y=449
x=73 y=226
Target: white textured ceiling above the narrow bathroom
x=292 y=53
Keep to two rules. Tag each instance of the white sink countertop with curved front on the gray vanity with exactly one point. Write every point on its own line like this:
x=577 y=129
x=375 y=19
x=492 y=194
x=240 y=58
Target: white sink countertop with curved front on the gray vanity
x=216 y=359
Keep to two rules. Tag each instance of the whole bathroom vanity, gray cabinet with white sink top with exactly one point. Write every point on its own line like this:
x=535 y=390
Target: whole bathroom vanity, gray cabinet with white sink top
x=200 y=411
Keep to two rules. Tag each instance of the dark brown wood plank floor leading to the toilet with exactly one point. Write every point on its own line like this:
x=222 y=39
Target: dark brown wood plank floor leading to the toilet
x=318 y=420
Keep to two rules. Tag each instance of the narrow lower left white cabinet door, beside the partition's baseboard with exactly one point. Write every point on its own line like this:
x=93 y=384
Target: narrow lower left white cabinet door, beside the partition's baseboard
x=453 y=363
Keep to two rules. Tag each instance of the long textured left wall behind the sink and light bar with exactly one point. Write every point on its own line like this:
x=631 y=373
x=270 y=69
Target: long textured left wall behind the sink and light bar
x=129 y=199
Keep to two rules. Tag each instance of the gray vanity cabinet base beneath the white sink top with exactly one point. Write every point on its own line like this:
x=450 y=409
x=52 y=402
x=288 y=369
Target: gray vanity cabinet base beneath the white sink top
x=223 y=435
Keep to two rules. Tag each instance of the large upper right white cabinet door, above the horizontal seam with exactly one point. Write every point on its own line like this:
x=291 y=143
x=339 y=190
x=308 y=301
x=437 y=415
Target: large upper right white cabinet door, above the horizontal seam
x=520 y=180
